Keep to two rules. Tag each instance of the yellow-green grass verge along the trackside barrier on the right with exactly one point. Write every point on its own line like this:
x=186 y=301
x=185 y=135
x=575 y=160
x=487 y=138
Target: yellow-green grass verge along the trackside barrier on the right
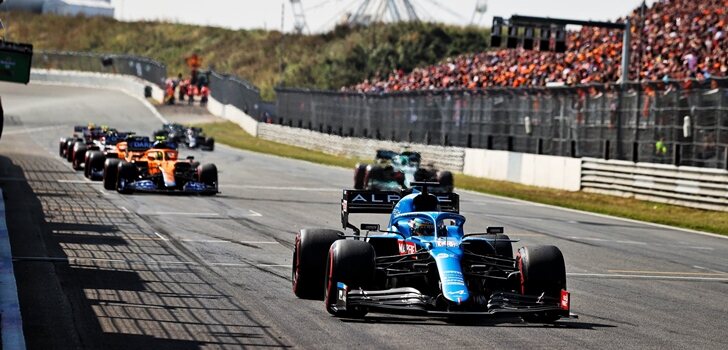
x=703 y=220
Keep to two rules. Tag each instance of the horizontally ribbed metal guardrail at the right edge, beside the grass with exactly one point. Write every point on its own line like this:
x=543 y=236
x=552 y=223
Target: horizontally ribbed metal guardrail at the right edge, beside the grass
x=687 y=186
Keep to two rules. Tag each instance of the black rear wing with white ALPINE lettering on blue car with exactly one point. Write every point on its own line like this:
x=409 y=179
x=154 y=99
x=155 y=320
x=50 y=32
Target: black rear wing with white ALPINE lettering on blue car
x=383 y=202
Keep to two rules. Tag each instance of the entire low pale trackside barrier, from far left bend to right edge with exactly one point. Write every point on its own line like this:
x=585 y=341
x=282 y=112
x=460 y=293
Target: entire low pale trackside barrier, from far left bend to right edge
x=562 y=173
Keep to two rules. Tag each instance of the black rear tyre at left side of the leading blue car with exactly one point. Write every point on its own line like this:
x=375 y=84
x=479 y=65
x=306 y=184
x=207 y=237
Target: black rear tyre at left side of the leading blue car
x=309 y=261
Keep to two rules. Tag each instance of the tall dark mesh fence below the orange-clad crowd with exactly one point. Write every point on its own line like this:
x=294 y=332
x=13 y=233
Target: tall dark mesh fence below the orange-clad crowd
x=642 y=123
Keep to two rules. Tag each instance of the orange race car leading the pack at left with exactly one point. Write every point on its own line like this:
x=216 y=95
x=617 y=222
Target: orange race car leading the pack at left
x=159 y=170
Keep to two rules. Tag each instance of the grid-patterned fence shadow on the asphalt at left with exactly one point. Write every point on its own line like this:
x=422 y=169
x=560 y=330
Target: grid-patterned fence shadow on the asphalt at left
x=91 y=276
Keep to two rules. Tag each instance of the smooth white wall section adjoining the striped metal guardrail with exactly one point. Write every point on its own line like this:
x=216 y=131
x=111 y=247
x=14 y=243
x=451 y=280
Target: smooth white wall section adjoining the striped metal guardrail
x=529 y=169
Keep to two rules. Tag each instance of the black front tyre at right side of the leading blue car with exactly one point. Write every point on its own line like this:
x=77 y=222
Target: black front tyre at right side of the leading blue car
x=542 y=271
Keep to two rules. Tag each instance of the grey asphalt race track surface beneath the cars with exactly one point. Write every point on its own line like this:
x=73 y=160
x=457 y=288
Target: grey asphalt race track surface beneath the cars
x=100 y=270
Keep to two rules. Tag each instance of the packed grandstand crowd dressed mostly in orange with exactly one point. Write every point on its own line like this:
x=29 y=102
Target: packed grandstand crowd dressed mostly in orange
x=672 y=40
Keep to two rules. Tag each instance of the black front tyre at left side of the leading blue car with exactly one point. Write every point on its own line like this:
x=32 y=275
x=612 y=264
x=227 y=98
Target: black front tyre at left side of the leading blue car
x=350 y=262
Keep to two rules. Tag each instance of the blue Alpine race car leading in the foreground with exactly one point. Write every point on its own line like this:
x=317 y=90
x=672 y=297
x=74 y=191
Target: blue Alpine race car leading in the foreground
x=425 y=264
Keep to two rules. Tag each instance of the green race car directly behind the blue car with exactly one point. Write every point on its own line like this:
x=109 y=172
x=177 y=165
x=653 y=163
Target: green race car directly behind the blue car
x=393 y=171
